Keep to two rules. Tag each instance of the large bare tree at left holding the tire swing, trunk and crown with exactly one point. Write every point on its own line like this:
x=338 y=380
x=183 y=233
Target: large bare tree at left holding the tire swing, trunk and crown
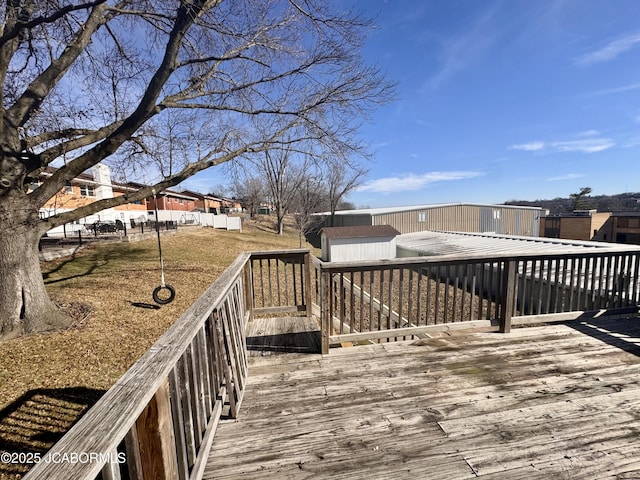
x=86 y=81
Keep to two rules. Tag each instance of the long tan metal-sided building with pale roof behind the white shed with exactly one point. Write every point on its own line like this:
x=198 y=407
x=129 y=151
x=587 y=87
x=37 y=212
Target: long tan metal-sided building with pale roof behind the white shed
x=458 y=217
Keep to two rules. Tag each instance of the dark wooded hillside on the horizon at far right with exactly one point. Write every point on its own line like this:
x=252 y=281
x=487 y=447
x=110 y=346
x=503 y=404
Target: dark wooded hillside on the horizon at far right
x=623 y=202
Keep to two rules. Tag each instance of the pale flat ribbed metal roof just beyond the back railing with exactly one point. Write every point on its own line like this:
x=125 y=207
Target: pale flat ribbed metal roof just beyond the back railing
x=448 y=243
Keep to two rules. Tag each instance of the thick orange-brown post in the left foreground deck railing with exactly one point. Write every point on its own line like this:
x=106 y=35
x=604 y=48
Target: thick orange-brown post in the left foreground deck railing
x=156 y=437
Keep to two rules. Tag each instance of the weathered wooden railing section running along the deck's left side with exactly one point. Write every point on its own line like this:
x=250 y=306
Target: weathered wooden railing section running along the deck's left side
x=158 y=421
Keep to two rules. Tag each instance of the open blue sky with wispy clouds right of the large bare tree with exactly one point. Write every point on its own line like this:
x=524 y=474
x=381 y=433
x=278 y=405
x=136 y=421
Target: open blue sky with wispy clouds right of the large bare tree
x=502 y=100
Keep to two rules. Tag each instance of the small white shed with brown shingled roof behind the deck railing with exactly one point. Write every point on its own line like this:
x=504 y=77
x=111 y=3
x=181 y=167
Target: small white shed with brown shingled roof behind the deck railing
x=346 y=244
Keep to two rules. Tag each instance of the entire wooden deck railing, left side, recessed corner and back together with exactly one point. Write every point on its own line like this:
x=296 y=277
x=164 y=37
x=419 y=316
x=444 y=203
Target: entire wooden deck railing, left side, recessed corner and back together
x=159 y=420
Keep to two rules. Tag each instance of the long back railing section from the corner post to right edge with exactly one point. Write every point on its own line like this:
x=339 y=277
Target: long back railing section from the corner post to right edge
x=398 y=298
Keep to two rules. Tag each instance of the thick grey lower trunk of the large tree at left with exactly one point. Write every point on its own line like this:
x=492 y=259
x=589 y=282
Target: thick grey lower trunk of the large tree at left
x=25 y=306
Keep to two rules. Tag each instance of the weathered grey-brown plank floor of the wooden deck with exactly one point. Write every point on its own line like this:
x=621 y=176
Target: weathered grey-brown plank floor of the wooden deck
x=559 y=401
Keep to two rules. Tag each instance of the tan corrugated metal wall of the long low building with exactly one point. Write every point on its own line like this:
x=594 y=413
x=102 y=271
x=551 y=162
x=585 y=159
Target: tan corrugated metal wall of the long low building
x=463 y=218
